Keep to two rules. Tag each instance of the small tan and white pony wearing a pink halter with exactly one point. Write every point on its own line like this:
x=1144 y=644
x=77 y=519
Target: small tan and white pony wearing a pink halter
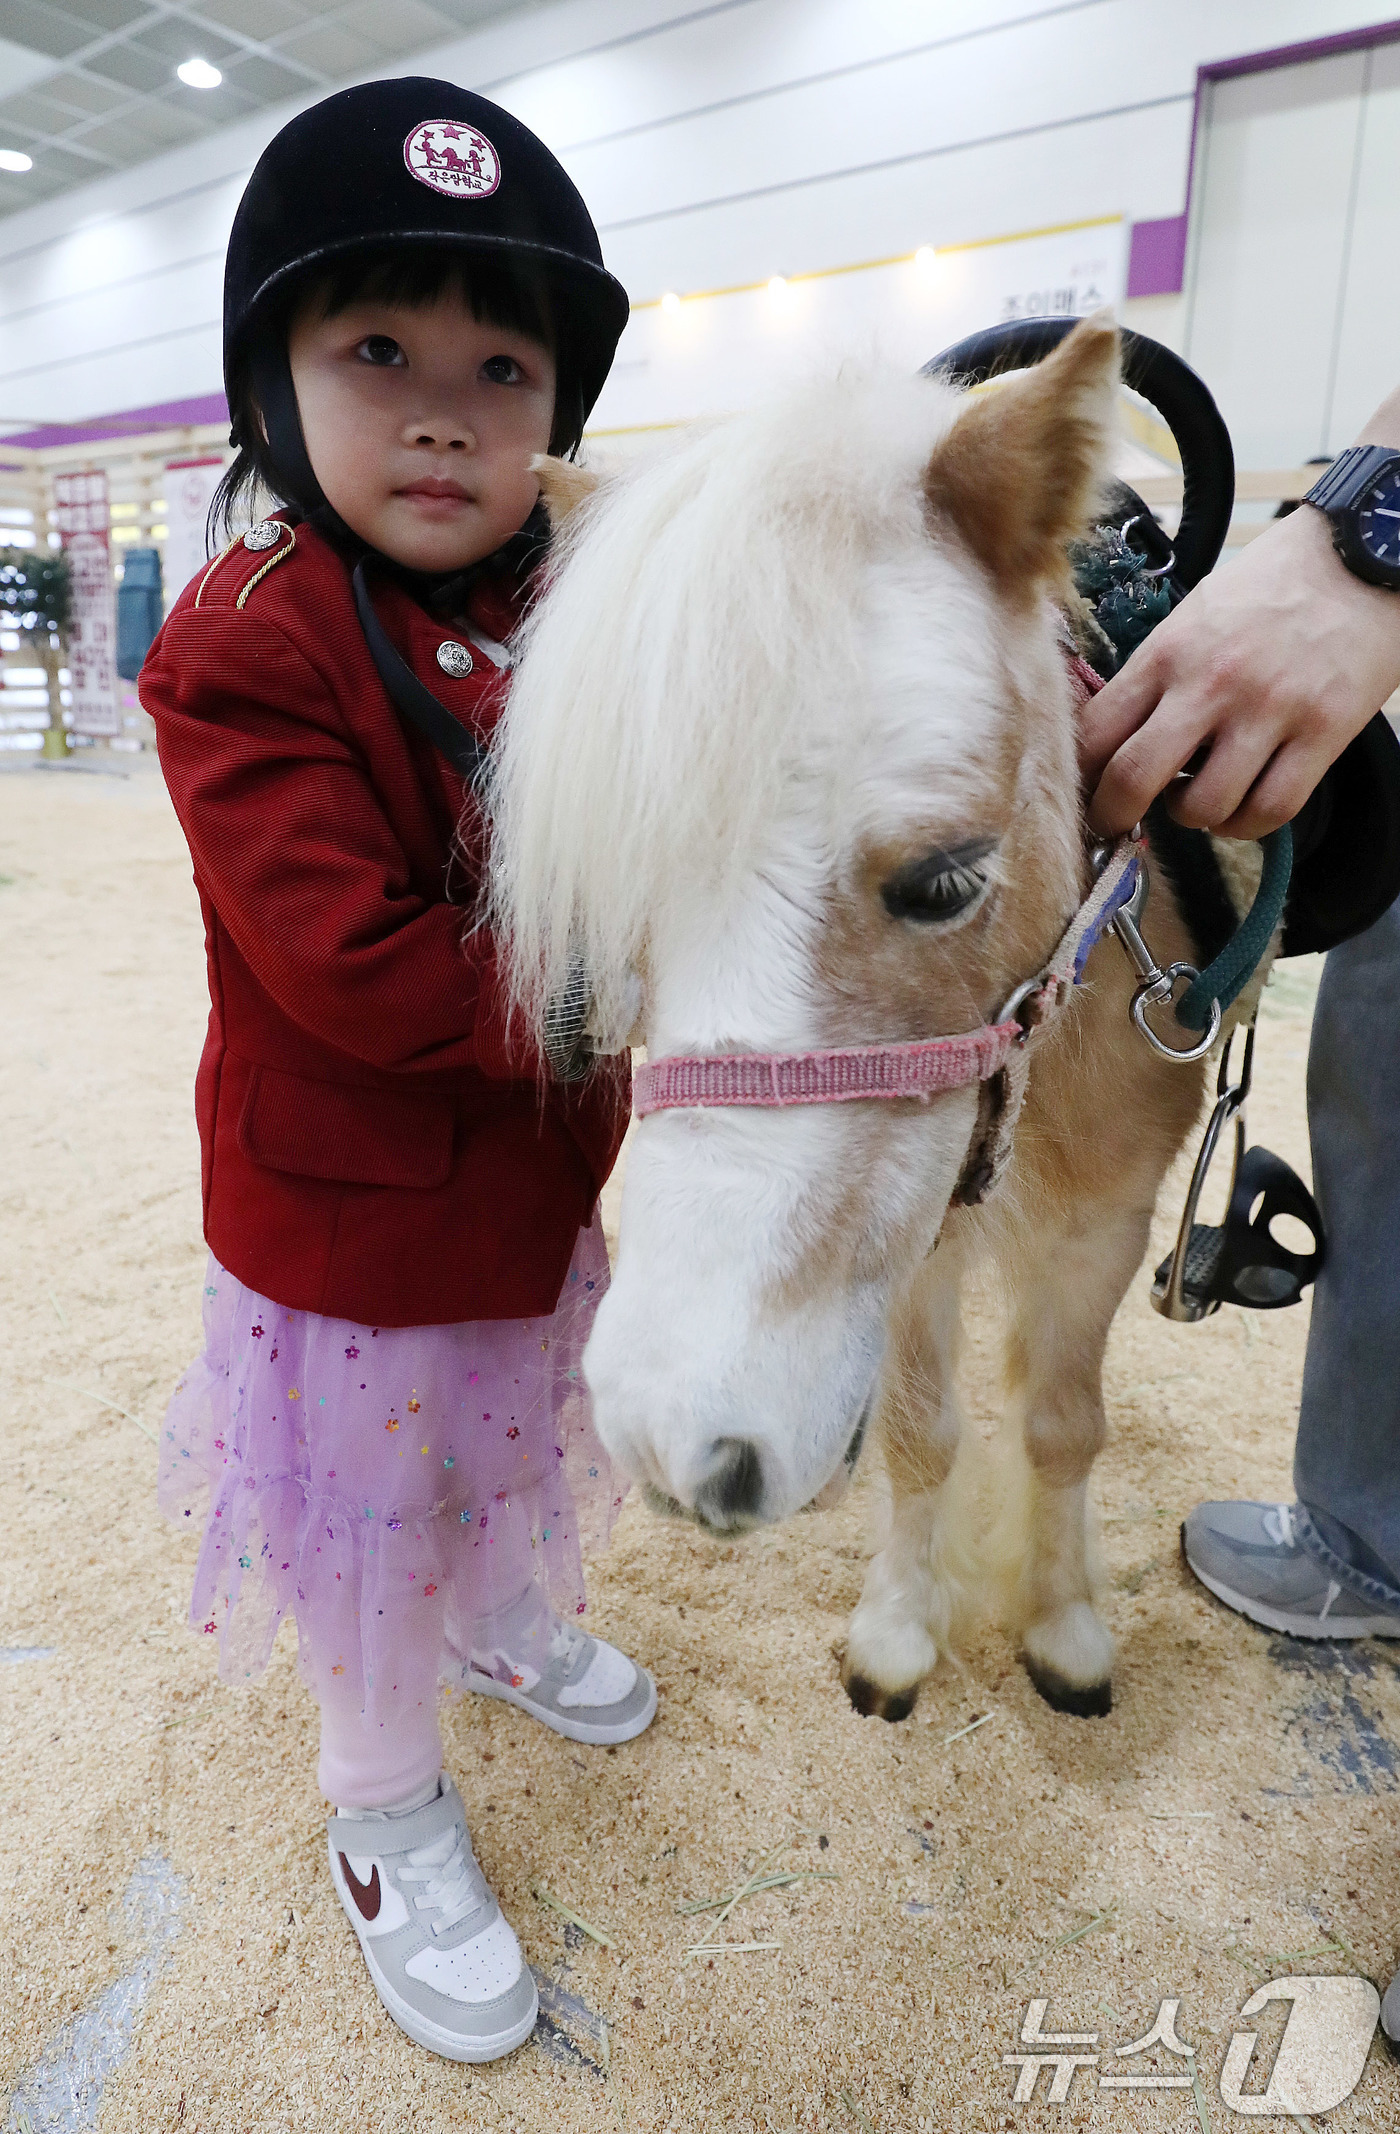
x=791 y=765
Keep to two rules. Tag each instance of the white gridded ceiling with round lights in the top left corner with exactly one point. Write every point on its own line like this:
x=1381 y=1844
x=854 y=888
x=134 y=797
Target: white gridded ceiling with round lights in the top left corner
x=89 y=86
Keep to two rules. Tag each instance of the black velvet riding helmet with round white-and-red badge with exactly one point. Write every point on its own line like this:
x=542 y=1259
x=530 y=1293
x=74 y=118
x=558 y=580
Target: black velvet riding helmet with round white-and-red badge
x=404 y=168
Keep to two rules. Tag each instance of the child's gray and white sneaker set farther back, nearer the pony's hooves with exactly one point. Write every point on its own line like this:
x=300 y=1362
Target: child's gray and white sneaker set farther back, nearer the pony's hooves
x=579 y=1685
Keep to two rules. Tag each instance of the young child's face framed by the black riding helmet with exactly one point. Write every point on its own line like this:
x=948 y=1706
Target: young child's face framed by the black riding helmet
x=421 y=426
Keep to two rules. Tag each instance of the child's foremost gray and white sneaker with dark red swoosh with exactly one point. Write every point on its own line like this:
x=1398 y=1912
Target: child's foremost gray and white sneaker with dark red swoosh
x=443 y=1960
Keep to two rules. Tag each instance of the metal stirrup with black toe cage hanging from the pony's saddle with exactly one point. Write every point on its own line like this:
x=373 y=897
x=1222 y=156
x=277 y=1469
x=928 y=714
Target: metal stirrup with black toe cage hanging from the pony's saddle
x=1239 y=1262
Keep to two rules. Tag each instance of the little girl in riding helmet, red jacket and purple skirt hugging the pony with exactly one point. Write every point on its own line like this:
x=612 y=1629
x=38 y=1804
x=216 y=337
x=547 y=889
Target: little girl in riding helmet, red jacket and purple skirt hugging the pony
x=400 y=1203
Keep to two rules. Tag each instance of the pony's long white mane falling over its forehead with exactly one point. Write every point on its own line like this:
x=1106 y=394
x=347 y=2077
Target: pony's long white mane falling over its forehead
x=701 y=616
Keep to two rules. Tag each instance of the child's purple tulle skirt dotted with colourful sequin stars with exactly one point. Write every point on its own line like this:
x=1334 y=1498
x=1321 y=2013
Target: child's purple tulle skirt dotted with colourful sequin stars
x=385 y=1484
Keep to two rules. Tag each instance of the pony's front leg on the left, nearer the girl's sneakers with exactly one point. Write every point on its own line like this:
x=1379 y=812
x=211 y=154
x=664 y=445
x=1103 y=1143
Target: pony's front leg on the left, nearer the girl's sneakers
x=914 y=1589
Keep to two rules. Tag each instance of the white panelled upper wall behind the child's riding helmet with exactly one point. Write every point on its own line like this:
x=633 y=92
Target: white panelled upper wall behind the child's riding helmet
x=716 y=144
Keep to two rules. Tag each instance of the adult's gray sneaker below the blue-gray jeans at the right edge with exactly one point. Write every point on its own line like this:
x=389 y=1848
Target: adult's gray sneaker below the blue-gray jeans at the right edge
x=1252 y=1559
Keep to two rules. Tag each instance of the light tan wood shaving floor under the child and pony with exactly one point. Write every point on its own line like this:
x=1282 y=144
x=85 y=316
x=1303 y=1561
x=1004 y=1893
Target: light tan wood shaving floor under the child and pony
x=163 y=1845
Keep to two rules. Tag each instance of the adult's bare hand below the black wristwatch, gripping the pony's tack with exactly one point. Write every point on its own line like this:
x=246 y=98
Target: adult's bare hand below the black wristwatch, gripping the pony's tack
x=1273 y=665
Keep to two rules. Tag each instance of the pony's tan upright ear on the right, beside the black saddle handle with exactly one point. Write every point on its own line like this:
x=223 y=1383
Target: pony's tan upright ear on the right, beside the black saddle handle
x=1021 y=468
